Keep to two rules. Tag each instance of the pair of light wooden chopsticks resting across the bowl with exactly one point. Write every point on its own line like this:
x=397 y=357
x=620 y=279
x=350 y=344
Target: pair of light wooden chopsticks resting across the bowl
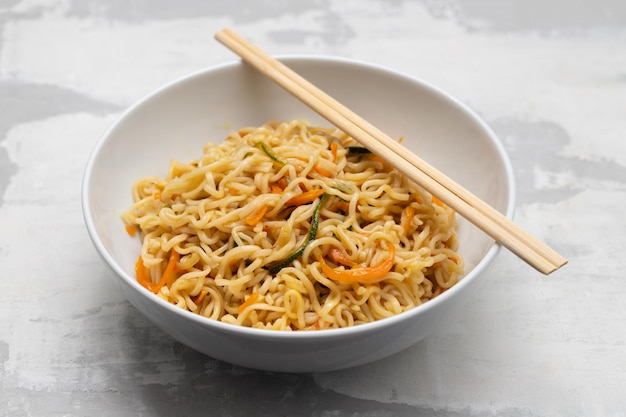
x=485 y=217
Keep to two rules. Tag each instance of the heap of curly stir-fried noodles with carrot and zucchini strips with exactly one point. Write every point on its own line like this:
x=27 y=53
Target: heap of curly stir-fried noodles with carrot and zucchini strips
x=292 y=227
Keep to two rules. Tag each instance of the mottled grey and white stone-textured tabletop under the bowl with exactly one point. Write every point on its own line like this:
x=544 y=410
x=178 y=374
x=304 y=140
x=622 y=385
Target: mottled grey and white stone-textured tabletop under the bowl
x=549 y=77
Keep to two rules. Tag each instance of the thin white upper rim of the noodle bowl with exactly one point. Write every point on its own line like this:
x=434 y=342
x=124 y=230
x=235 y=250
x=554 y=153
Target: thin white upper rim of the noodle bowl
x=321 y=334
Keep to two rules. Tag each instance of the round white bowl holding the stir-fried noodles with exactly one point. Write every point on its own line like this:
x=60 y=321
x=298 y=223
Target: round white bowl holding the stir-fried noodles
x=175 y=122
